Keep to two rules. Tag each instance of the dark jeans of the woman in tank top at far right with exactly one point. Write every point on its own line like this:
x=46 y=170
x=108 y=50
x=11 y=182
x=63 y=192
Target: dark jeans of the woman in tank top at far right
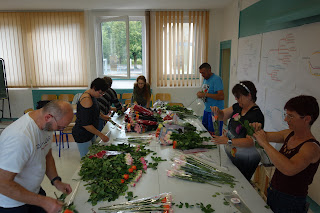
x=280 y=202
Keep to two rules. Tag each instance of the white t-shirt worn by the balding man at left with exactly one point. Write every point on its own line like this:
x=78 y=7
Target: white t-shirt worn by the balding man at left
x=23 y=151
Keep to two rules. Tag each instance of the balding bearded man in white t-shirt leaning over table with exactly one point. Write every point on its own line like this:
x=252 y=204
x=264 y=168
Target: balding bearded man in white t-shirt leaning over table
x=26 y=156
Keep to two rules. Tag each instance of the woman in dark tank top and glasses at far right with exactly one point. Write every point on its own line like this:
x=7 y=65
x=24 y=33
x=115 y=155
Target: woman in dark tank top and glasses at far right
x=298 y=159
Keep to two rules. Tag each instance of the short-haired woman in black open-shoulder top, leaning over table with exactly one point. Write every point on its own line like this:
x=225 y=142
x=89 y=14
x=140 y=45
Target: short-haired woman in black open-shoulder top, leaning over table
x=88 y=112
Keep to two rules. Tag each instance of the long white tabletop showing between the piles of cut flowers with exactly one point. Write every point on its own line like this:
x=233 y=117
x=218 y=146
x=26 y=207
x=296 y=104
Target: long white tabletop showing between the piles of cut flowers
x=154 y=182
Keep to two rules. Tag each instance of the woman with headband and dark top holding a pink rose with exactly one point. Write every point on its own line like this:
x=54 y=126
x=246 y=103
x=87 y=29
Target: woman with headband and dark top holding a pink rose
x=239 y=145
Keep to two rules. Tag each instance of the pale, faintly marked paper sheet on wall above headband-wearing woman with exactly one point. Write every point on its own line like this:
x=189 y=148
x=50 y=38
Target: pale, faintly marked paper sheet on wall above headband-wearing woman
x=249 y=58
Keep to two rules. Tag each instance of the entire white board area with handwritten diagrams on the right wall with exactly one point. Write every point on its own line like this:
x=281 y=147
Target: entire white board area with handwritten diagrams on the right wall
x=282 y=64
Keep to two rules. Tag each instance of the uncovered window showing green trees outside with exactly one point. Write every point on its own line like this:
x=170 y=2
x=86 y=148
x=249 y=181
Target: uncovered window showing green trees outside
x=121 y=46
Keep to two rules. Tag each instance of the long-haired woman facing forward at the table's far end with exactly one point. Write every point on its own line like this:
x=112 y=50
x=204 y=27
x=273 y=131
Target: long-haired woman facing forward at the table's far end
x=141 y=92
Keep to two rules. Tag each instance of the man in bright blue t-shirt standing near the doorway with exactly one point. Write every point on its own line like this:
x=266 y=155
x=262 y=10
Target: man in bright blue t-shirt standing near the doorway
x=212 y=94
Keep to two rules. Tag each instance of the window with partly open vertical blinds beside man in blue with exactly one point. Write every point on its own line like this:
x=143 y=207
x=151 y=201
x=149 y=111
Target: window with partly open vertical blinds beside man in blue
x=181 y=40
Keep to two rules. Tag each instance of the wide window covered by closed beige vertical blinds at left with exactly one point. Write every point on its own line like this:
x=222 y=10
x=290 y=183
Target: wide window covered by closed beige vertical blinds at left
x=43 y=49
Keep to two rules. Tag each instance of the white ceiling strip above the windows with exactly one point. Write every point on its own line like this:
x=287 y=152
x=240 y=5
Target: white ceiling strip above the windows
x=110 y=4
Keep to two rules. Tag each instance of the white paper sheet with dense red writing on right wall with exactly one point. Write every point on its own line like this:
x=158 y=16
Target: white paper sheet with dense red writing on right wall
x=279 y=59
